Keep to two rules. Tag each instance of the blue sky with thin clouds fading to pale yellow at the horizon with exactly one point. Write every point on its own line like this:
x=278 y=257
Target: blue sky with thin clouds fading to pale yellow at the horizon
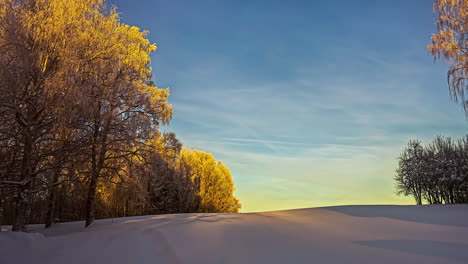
x=308 y=103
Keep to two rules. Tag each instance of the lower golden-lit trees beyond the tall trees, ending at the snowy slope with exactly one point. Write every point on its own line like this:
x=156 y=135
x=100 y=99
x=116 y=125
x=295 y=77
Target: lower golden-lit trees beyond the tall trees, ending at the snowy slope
x=171 y=180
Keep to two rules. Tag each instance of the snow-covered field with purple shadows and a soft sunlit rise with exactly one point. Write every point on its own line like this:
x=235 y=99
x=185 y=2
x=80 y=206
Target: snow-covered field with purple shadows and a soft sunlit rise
x=346 y=234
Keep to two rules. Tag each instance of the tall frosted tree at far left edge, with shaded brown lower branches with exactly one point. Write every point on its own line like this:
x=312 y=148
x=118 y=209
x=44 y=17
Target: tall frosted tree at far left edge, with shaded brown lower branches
x=36 y=86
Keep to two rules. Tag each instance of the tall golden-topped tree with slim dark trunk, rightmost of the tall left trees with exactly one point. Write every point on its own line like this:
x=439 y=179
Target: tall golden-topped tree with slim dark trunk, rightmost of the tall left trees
x=124 y=107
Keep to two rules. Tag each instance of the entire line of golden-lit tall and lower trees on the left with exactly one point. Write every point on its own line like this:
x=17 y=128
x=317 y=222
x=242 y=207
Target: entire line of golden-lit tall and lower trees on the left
x=80 y=118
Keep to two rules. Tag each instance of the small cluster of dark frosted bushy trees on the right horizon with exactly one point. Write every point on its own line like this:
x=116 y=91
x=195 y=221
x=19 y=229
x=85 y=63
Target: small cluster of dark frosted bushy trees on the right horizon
x=436 y=173
